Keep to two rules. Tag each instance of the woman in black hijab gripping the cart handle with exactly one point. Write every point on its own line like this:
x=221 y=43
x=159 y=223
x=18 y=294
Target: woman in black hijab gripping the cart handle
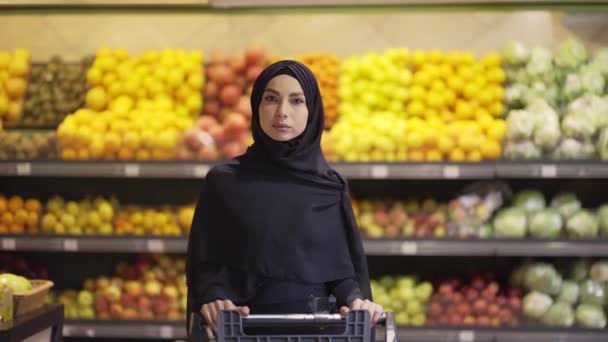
x=276 y=225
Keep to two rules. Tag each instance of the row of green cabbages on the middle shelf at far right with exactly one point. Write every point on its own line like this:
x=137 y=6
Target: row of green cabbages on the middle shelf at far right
x=563 y=217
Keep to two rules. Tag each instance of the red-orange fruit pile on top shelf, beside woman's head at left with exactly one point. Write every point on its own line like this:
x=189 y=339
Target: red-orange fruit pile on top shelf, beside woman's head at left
x=223 y=129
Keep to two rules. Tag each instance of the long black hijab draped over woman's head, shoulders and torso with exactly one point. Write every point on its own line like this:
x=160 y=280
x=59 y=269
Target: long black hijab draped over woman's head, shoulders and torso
x=279 y=211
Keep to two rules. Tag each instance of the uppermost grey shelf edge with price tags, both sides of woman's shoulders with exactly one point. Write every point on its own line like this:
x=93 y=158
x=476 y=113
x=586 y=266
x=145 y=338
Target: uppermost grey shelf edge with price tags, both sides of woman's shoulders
x=397 y=170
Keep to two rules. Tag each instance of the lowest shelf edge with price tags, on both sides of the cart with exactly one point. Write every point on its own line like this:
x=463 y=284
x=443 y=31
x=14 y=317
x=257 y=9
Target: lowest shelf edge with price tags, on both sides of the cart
x=177 y=330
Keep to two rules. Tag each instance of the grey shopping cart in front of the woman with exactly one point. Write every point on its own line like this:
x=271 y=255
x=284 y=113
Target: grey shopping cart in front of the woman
x=354 y=327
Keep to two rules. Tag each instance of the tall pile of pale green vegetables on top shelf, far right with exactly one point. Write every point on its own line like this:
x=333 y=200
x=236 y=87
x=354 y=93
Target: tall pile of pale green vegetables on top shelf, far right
x=558 y=102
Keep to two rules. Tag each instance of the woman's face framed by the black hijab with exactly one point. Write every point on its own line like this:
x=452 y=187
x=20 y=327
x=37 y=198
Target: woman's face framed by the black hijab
x=283 y=110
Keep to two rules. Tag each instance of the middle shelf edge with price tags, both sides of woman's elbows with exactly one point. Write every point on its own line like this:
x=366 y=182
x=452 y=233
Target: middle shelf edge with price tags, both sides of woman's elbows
x=425 y=247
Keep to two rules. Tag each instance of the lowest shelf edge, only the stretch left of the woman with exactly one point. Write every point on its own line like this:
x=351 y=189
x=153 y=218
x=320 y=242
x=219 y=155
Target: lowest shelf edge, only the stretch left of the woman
x=125 y=329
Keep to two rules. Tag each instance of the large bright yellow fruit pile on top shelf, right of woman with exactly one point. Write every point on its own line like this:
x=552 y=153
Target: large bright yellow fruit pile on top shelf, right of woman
x=420 y=106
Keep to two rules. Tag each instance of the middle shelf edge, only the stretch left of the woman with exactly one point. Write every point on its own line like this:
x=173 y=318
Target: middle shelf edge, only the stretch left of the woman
x=105 y=244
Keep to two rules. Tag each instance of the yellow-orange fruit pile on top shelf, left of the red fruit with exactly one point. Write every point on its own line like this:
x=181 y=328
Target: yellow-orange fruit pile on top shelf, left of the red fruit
x=138 y=107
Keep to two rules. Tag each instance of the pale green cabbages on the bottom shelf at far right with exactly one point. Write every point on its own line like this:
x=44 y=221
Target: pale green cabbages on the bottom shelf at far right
x=571 y=295
